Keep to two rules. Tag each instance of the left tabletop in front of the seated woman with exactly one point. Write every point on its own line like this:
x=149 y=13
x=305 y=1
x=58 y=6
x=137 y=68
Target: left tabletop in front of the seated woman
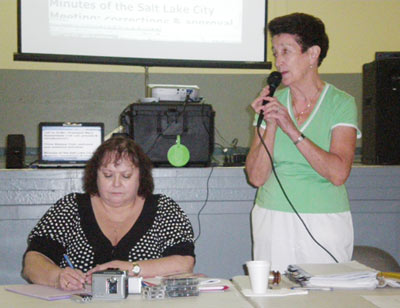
x=231 y=298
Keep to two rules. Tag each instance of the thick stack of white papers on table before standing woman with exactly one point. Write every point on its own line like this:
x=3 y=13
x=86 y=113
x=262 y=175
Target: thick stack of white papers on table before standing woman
x=348 y=275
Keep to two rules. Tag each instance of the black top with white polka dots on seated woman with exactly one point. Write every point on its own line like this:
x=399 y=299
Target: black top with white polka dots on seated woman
x=70 y=227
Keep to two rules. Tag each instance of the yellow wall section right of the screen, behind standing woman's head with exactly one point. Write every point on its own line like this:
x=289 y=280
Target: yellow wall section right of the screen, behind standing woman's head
x=356 y=29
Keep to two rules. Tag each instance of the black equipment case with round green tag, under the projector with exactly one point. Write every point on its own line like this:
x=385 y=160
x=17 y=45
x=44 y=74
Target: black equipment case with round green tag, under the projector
x=155 y=127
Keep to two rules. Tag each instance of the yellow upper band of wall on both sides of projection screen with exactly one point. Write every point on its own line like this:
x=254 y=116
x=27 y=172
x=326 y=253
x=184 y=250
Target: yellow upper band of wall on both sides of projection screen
x=356 y=28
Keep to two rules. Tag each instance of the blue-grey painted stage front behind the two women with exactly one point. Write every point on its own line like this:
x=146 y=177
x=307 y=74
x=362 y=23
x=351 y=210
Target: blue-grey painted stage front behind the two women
x=26 y=194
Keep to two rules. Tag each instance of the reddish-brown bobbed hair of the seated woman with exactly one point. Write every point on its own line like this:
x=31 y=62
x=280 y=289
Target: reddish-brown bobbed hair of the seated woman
x=124 y=147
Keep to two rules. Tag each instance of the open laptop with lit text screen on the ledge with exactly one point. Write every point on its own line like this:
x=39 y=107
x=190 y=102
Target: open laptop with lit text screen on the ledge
x=68 y=145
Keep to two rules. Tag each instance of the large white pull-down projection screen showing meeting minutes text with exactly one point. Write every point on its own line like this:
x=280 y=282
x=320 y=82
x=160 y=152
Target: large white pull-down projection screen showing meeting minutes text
x=191 y=33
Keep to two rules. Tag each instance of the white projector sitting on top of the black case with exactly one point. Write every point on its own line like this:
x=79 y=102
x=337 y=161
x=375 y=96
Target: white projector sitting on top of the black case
x=177 y=93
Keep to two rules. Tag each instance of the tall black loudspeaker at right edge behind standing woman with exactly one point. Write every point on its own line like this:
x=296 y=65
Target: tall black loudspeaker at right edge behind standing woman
x=381 y=110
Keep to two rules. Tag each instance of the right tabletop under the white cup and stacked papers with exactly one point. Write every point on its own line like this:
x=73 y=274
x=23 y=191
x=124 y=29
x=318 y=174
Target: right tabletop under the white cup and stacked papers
x=320 y=299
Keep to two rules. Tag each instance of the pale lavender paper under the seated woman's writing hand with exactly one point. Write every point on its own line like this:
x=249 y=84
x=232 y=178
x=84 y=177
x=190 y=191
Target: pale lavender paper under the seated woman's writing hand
x=42 y=292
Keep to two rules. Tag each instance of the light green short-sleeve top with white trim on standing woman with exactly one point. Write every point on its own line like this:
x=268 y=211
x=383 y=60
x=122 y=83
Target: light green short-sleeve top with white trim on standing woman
x=308 y=191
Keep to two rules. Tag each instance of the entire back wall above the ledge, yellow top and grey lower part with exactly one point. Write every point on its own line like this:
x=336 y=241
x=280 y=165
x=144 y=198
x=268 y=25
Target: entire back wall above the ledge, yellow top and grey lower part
x=37 y=92
